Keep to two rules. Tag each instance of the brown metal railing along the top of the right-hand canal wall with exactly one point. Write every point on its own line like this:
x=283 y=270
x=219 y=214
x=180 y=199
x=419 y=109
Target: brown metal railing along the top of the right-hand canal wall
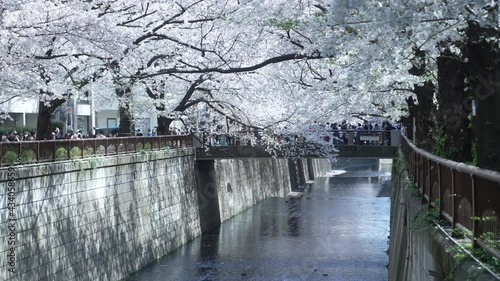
x=466 y=196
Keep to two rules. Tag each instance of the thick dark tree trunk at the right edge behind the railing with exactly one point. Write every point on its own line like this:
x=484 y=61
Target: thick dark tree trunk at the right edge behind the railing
x=484 y=73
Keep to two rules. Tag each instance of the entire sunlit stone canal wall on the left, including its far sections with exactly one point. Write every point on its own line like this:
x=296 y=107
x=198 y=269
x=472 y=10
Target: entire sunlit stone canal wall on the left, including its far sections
x=102 y=218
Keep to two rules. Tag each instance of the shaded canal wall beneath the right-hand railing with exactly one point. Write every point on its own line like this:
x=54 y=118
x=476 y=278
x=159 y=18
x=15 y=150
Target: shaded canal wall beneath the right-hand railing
x=419 y=250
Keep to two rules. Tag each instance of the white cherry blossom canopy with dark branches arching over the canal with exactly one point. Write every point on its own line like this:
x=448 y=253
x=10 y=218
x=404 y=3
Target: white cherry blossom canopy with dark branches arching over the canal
x=266 y=64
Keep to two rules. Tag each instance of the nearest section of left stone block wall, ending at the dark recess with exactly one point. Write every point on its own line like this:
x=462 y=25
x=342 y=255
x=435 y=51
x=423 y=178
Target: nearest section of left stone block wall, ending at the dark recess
x=100 y=218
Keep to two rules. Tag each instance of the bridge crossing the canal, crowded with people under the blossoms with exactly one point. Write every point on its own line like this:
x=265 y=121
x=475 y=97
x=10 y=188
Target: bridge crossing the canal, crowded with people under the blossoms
x=342 y=143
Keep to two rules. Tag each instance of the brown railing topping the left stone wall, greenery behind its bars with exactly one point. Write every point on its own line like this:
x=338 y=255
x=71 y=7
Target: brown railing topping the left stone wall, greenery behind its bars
x=55 y=150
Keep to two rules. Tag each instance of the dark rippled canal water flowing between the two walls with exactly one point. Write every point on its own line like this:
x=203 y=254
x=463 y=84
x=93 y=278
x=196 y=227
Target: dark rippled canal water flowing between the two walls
x=338 y=230
